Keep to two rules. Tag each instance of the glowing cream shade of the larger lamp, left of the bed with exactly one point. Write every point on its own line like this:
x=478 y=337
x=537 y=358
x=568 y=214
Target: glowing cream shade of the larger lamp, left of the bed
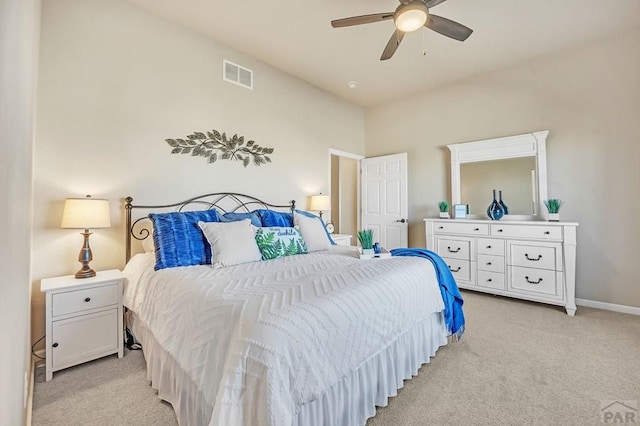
x=86 y=213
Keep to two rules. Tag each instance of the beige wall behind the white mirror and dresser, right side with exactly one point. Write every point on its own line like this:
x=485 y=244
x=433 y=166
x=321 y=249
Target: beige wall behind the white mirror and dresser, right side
x=589 y=99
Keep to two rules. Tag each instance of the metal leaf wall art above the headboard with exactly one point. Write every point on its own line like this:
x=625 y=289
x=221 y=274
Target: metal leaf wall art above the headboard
x=214 y=146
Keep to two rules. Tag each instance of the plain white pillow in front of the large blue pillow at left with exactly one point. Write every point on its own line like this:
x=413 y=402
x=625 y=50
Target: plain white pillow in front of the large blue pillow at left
x=231 y=243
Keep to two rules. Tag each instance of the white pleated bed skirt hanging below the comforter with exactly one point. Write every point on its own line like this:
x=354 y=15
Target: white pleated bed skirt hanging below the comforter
x=349 y=402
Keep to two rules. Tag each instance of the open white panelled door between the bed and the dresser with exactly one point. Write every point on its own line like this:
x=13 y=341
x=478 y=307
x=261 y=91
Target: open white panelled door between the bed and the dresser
x=384 y=199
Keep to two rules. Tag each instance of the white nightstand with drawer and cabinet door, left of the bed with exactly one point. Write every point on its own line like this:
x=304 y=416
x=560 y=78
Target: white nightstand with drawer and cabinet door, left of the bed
x=84 y=319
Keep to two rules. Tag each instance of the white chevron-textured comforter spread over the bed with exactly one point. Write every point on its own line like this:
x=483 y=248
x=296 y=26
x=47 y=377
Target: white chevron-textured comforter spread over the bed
x=262 y=339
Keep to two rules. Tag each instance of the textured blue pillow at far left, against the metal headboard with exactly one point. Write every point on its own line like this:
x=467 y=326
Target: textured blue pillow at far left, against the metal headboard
x=178 y=239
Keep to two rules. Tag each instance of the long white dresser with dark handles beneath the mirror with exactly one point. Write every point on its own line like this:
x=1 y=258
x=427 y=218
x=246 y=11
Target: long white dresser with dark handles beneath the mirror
x=531 y=260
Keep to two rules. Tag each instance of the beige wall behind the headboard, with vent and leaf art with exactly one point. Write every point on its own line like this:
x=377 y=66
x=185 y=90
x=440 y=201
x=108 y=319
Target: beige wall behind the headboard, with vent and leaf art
x=116 y=81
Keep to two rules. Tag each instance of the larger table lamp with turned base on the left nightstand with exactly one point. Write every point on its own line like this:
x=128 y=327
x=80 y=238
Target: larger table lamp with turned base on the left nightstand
x=85 y=213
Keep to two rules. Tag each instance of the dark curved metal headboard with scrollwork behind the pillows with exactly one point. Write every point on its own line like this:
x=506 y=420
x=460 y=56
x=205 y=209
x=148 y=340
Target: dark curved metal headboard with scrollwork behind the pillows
x=223 y=201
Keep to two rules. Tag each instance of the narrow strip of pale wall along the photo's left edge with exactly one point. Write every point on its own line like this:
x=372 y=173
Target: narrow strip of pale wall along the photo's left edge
x=19 y=24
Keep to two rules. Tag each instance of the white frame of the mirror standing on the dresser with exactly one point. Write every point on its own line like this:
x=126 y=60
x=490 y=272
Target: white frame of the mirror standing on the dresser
x=526 y=145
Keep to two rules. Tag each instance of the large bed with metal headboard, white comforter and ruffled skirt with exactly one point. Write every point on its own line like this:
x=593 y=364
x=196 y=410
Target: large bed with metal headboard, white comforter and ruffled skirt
x=305 y=339
